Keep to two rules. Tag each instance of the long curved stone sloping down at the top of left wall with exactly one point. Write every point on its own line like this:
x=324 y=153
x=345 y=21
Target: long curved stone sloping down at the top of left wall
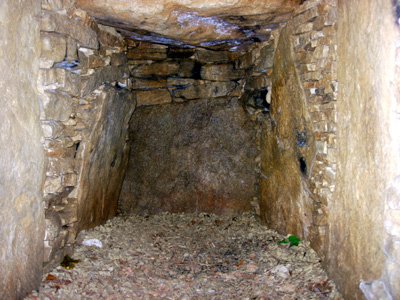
x=54 y=22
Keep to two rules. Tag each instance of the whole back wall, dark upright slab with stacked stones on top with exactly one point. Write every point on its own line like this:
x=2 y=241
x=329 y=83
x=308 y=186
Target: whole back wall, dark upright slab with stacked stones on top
x=193 y=144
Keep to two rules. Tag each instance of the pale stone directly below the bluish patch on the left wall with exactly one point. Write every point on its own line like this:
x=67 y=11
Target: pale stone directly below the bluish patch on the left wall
x=61 y=79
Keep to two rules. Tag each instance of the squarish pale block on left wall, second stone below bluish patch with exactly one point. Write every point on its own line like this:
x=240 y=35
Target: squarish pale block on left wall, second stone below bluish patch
x=55 y=105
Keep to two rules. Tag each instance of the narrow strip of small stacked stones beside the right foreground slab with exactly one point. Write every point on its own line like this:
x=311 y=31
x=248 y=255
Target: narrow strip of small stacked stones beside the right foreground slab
x=314 y=37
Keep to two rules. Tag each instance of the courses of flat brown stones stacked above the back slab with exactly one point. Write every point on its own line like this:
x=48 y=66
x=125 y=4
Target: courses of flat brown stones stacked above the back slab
x=163 y=74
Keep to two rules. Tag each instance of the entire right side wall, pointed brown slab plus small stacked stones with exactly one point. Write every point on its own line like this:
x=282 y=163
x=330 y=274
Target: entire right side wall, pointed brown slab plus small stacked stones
x=304 y=91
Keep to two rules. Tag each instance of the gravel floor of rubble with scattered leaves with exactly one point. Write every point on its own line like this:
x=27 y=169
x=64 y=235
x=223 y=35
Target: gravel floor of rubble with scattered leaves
x=188 y=256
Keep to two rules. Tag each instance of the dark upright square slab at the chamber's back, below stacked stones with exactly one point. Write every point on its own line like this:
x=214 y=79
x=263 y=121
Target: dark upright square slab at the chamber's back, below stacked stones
x=193 y=156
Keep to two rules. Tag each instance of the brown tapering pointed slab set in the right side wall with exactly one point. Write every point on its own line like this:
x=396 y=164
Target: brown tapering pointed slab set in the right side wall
x=288 y=148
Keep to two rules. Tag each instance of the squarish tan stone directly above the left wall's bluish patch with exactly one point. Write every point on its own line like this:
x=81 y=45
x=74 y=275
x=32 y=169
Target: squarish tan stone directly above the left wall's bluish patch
x=53 y=46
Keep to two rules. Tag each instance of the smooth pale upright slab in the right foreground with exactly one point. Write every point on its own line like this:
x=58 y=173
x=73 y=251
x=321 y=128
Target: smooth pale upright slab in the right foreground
x=366 y=158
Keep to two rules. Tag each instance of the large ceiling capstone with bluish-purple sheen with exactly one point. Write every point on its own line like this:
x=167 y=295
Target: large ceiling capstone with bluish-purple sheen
x=216 y=24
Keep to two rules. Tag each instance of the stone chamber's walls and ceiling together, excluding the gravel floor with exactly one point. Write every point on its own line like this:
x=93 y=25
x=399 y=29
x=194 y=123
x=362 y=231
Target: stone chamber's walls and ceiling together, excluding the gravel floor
x=288 y=109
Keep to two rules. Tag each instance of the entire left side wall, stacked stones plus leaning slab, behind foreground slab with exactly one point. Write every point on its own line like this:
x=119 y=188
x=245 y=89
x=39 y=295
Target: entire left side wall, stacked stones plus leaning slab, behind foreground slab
x=85 y=108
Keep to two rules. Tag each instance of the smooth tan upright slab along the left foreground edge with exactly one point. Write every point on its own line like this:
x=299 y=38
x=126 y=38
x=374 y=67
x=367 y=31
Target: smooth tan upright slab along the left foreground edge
x=22 y=159
